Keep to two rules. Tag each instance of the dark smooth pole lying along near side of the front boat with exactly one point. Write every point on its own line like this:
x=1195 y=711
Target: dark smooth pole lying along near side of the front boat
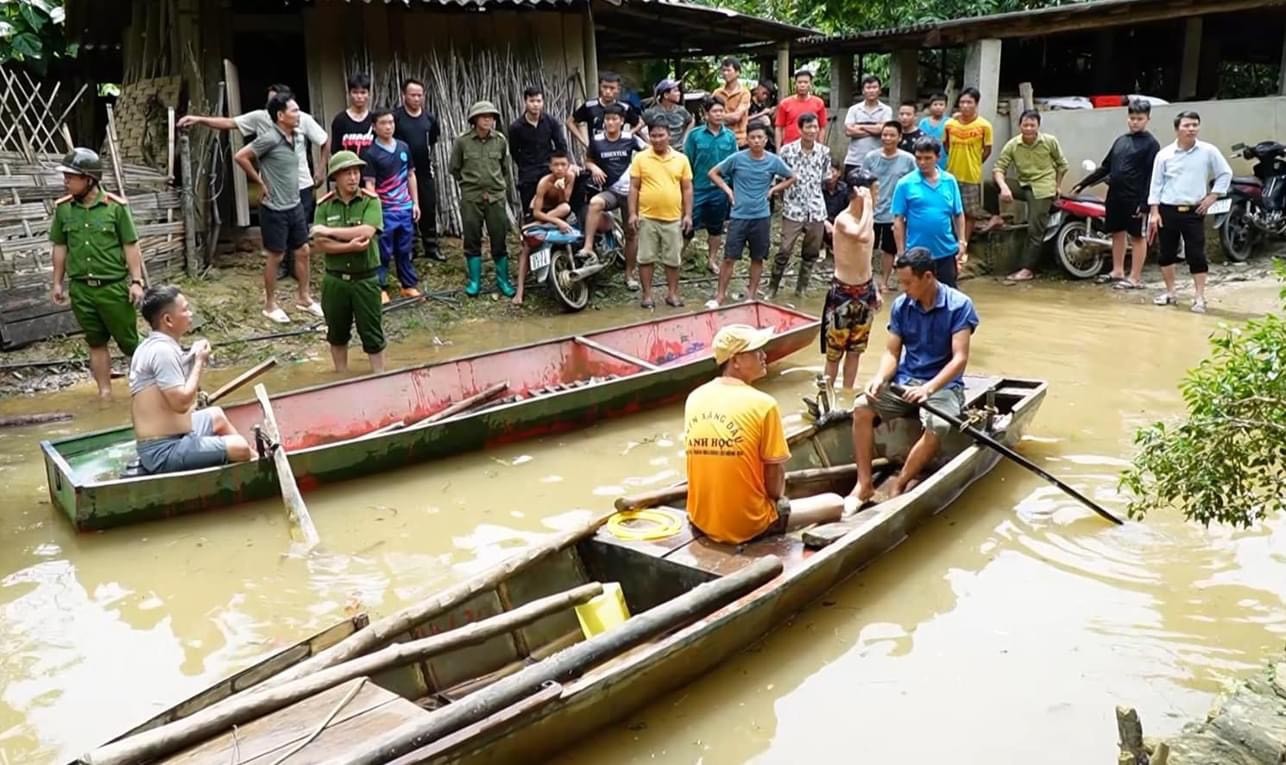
x=575 y=661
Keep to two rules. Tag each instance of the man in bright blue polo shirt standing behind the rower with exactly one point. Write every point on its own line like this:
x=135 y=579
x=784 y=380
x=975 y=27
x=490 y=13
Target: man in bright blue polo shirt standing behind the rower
x=928 y=213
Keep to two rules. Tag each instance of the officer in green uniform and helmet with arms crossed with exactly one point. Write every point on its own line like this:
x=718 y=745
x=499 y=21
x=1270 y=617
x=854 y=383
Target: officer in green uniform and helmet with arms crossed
x=347 y=231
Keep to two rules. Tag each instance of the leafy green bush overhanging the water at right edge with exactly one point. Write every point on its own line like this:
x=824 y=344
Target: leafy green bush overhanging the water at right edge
x=1226 y=462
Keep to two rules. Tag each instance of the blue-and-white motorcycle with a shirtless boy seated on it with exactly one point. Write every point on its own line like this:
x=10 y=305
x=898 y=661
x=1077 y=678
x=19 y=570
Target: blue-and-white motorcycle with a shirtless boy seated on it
x=556 y=260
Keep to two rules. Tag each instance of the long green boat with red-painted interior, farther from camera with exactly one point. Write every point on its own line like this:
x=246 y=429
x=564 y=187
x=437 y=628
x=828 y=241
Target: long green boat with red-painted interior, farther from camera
x=332 y=431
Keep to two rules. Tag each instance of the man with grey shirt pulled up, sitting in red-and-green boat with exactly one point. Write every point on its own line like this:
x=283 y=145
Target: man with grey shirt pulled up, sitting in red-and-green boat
x=164 y=384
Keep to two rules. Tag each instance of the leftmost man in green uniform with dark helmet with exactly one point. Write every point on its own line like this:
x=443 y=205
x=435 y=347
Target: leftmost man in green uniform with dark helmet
x=97 y=249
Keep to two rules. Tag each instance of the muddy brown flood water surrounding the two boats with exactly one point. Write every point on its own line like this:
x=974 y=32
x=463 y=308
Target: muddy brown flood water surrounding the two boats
x=1005 y=631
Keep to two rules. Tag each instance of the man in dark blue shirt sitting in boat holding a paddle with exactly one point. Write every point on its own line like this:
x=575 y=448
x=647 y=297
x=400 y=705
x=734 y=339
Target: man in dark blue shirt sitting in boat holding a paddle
x=930 y=327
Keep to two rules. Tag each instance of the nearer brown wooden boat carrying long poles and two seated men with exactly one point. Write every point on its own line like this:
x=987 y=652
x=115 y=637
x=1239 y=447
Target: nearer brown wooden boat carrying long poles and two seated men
x=515 y=699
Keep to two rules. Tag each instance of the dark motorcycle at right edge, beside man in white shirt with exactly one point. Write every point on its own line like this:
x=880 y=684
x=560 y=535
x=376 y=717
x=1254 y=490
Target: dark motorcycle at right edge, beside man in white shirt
x=1256 y=206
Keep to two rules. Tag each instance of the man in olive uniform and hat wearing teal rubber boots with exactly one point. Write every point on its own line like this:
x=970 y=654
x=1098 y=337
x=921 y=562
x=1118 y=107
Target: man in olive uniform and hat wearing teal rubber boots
x=480 y=165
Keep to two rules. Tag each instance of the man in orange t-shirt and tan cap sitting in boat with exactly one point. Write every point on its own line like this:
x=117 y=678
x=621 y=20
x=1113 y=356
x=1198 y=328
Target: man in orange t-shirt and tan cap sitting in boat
x=736 y=451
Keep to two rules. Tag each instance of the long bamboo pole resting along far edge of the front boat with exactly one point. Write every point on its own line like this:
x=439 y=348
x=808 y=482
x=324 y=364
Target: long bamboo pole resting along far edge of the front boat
x=389 y=628
